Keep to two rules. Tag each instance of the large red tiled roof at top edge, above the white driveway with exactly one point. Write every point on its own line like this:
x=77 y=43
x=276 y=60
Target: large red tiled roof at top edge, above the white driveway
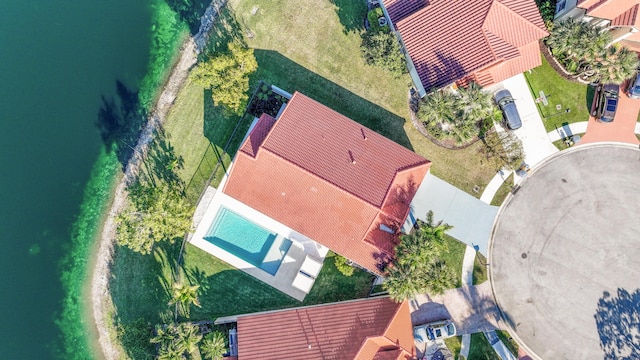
x=449 y=40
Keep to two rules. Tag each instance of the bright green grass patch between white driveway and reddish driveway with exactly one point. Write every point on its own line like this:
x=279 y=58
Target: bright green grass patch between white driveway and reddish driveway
x=570 y=95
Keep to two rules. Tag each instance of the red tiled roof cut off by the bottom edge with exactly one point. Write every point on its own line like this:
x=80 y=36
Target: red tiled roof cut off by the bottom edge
x=374 y=328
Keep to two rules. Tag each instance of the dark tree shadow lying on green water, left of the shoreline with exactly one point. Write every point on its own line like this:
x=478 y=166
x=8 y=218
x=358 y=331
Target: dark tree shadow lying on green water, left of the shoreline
x=120 y=121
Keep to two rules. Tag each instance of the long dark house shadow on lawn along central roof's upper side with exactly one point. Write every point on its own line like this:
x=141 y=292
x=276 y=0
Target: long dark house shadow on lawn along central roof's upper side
x=276 y=69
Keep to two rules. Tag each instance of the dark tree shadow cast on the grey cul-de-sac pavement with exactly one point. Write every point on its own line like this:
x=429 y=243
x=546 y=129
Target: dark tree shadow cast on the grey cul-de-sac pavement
x=618 y=324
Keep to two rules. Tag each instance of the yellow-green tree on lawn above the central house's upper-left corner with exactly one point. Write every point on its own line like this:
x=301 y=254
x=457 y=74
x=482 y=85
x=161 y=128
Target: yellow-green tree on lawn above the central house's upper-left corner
x=227 y=75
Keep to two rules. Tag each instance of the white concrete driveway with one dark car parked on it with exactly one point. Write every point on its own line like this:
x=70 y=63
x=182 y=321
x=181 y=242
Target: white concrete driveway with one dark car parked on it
x=535 y=142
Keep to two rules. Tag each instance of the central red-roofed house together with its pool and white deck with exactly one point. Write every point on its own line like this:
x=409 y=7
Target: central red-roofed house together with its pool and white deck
x=314 y=180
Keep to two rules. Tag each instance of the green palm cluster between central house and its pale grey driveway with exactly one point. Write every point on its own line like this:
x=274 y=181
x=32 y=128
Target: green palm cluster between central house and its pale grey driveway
x=417 y=267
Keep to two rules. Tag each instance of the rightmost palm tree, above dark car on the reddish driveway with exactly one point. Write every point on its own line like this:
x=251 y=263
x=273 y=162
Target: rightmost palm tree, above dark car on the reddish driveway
x=616 y=64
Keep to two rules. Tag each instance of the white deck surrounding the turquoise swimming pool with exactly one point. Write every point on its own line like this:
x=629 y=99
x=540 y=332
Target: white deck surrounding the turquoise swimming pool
x=301 y=246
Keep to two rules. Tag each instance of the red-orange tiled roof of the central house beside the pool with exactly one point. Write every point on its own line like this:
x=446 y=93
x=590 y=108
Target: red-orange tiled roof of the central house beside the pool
x=329 y=178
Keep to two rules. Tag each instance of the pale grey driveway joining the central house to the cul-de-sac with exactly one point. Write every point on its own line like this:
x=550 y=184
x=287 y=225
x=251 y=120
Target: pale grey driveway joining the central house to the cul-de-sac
x=471 y=218
